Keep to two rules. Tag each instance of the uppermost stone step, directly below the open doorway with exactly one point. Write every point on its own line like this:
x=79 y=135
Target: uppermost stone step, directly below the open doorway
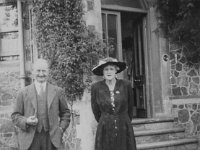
x=153 y=123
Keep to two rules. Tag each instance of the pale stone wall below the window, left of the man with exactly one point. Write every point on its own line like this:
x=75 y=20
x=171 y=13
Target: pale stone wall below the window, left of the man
x=9 y=85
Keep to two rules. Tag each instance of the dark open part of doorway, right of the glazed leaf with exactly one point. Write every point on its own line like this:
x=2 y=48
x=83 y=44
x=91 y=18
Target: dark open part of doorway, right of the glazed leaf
x=134 y=45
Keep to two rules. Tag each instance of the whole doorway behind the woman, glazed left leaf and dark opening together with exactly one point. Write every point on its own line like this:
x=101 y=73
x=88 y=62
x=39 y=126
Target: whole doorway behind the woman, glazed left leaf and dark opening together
x=126 y=32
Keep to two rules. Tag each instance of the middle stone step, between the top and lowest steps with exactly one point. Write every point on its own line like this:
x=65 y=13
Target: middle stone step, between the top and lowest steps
x=149 y=136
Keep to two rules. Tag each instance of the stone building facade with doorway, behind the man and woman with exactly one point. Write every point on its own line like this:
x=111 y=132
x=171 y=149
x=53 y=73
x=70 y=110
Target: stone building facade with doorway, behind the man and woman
x=164 y=82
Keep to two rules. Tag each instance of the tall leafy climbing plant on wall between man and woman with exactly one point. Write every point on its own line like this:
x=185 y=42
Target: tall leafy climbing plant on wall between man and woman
x=64 y=39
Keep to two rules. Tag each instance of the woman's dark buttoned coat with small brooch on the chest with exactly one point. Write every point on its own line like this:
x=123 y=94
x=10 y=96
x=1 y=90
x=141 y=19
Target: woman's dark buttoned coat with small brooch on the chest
x=114 y=131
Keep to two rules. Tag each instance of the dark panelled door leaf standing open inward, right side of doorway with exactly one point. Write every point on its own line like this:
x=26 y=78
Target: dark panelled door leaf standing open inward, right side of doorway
x=139 y=69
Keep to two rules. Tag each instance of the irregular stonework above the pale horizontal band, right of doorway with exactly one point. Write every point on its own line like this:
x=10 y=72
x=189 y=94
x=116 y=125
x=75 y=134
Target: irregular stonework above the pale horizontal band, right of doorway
x=184 y=77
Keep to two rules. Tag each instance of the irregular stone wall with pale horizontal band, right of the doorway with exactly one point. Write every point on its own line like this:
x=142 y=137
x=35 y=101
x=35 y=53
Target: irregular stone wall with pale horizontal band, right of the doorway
x=184 y=90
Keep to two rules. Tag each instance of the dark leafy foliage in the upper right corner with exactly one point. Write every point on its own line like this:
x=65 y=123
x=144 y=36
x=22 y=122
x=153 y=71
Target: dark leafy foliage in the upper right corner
x=181 y=23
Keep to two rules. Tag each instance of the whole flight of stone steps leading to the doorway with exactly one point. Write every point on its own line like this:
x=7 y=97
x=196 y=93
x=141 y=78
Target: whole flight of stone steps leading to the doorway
x=161 y=134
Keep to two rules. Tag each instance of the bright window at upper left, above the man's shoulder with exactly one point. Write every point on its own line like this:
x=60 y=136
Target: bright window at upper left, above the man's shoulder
x=8 y=33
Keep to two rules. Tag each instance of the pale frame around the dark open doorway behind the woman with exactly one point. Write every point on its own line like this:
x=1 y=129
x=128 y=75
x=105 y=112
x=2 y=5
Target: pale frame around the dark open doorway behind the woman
x=146 y=22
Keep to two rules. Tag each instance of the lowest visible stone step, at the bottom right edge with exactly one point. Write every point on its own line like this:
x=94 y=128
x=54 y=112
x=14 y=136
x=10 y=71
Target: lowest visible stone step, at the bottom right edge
x=179 y=144
